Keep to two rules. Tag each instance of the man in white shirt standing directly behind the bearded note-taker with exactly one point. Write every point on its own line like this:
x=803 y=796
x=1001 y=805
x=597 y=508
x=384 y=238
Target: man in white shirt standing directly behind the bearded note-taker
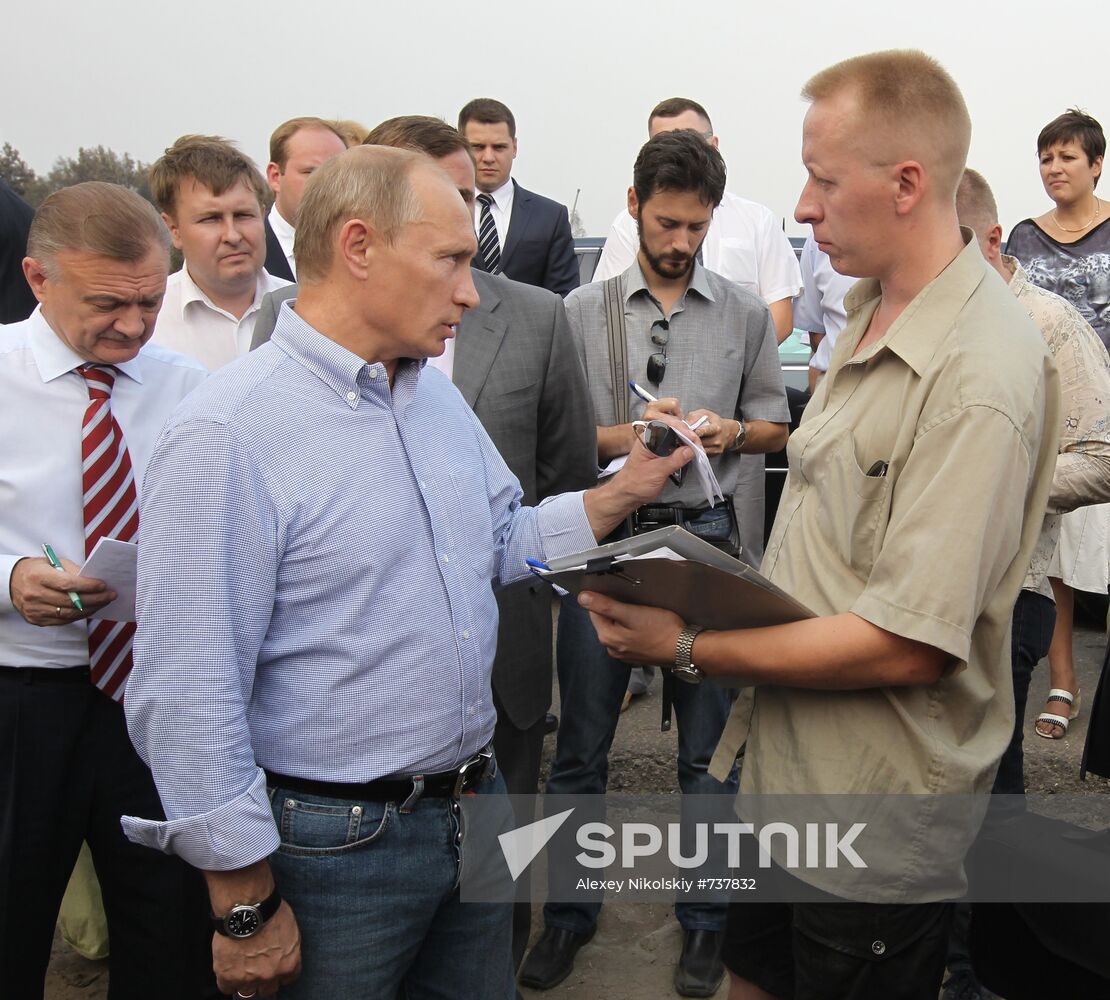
x=746 y=245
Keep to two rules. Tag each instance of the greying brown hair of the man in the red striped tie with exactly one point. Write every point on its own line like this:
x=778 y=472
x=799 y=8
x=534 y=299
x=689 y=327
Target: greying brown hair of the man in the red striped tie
x=97 y=218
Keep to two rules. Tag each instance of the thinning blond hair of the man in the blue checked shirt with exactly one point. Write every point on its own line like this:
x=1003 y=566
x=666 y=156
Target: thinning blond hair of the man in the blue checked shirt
x=368 y=183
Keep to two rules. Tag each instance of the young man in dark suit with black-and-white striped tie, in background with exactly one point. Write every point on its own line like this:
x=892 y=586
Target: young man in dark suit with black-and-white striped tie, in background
x=521 y=235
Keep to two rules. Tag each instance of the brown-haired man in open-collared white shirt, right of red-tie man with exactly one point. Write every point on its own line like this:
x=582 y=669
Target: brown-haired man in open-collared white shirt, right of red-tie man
x=213 y=198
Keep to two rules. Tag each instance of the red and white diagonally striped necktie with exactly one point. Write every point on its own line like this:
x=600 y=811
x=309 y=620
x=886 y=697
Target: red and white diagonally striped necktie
x=112 y=511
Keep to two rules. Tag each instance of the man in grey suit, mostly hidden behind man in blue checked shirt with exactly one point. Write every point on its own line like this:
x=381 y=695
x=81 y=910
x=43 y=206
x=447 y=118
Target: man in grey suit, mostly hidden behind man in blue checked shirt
x=516 y=365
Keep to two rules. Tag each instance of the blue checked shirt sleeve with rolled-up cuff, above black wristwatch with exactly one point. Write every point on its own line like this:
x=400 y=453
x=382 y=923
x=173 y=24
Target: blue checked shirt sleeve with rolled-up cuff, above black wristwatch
x=209 y=552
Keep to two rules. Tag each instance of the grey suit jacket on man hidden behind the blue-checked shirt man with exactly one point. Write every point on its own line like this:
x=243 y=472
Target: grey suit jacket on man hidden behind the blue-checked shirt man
x=517 y=367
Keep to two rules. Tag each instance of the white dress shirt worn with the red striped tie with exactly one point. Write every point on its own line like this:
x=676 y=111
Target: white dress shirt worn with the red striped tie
x=41 y=463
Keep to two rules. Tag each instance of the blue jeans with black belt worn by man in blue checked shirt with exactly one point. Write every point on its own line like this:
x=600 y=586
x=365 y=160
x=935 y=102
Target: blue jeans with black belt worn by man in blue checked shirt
x=376 y=896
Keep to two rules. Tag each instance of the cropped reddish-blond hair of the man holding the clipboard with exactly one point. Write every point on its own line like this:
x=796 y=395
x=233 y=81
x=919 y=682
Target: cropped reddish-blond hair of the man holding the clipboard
x=913 y=99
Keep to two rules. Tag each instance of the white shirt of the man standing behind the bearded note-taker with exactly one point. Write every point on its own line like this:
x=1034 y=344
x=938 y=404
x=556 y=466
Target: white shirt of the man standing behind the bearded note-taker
x=745 y=244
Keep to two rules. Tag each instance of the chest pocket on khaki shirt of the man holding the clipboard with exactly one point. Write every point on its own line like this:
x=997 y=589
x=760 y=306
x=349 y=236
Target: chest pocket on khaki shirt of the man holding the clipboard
x=854 y=508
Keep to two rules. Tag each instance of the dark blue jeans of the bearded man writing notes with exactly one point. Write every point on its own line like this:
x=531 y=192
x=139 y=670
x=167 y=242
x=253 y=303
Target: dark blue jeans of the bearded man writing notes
x=592 y=685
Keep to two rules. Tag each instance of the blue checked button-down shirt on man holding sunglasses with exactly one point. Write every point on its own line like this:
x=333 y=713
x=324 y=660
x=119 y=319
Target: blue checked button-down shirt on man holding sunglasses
x=316 y=562
